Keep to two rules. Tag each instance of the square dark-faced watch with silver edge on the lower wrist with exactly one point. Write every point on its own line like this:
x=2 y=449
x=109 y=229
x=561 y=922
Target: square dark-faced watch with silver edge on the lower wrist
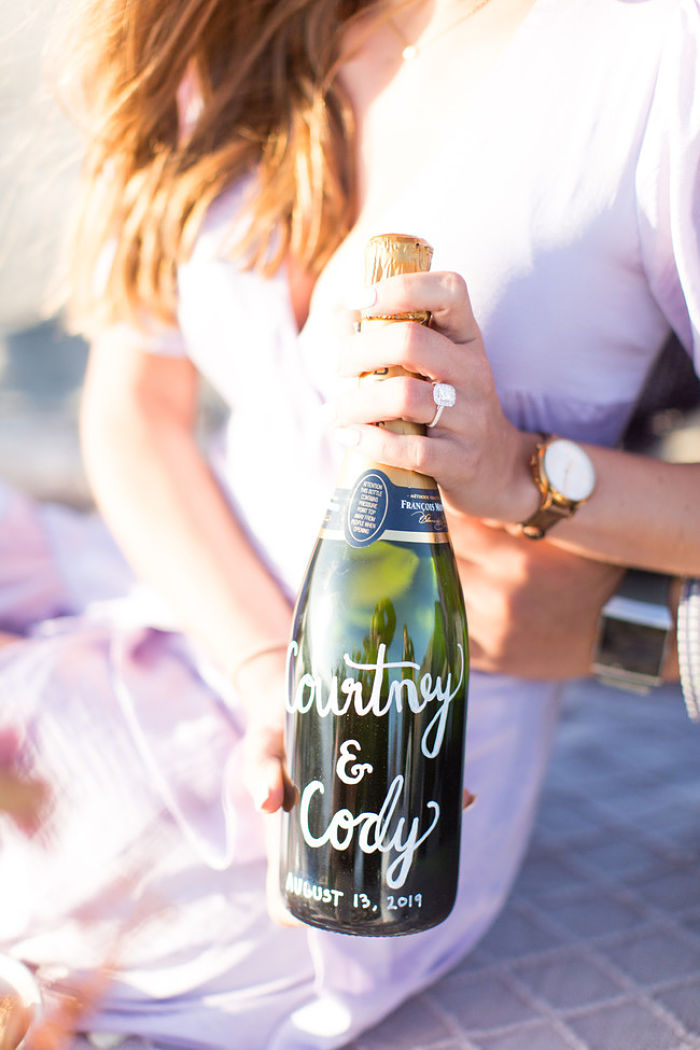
x=633 y=633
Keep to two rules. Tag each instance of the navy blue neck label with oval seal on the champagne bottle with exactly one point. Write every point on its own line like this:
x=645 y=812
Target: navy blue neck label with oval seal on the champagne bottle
x=376 y=509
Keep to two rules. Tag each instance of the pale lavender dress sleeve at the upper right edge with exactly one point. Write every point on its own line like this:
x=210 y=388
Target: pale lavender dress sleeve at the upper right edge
x=668 y=180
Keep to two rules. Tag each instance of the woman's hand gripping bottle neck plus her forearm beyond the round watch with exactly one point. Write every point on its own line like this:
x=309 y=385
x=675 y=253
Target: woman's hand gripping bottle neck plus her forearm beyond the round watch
x=643 y=513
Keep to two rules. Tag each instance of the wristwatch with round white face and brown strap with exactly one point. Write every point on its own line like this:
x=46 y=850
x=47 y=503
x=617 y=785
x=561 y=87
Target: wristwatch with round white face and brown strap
x=565 y=477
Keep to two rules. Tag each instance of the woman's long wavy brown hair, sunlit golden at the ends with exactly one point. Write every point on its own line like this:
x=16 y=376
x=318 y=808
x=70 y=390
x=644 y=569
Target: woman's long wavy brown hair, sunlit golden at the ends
x=268 y=100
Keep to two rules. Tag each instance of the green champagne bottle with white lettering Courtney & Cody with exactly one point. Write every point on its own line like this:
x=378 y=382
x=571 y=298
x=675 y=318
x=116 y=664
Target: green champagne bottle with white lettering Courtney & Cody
x=377 y=689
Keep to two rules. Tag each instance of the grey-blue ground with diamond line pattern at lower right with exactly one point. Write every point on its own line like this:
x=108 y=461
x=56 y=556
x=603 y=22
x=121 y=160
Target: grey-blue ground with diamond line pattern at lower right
x=599 y=948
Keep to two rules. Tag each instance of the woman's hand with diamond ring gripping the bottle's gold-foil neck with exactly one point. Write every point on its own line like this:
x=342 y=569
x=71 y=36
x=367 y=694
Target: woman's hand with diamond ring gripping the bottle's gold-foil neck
x=478 y=456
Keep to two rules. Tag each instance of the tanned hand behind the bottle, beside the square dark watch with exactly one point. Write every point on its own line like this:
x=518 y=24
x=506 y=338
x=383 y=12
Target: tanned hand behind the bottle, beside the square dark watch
x=533 y=607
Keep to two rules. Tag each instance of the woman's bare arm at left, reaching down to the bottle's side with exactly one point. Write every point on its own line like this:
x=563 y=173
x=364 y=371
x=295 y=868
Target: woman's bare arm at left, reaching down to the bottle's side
x=169 y=516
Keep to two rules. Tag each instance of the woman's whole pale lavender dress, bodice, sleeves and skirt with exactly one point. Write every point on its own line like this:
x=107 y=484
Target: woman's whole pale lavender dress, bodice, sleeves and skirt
x=569 y=200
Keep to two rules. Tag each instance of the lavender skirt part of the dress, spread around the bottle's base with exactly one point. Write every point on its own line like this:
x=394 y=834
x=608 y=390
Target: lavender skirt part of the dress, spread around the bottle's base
x=152 y=860
